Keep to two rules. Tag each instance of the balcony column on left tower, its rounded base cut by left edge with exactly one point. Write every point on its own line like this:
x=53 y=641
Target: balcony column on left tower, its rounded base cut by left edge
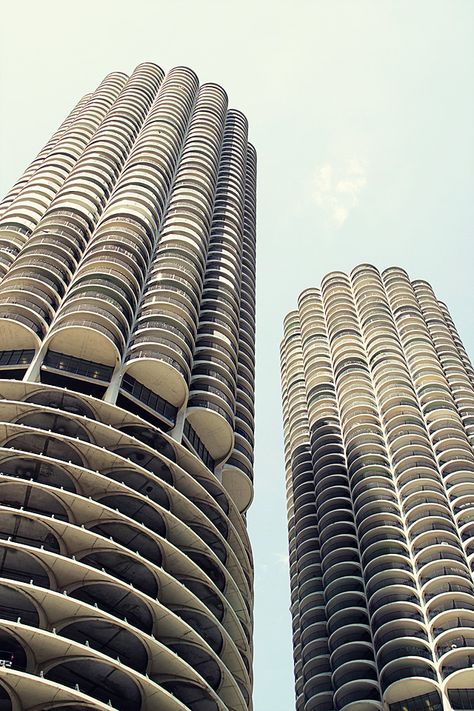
x=58 y=241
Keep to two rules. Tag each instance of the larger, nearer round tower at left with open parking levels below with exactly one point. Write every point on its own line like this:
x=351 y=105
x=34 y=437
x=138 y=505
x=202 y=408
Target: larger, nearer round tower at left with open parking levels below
x=127 y=322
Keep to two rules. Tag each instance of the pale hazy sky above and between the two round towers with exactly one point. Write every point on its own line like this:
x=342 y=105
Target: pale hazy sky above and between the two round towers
x=362 y=114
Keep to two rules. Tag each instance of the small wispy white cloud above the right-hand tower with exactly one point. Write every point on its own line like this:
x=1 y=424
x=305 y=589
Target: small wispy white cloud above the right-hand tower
x=336 y=188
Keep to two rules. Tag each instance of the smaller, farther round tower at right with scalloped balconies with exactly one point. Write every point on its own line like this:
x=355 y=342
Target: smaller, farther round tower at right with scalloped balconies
x=378 y=402
